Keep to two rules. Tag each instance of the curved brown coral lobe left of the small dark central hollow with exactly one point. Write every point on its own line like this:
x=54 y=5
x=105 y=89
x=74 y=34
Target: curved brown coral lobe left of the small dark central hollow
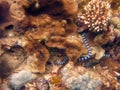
x=41 y=52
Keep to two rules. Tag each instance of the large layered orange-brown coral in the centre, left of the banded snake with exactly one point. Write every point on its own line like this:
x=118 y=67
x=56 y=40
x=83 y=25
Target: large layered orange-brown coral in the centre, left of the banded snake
x=55 y=35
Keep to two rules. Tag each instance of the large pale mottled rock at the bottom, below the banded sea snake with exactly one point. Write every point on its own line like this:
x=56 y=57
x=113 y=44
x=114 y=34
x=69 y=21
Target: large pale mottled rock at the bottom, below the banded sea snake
x=74 y=79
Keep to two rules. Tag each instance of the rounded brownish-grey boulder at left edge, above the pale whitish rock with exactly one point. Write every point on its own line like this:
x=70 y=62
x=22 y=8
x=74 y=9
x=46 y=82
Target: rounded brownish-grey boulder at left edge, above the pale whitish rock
x=10 y=60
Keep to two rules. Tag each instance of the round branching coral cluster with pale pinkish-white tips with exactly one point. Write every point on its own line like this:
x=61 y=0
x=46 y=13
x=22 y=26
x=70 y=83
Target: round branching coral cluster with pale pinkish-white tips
x=95 y=15
